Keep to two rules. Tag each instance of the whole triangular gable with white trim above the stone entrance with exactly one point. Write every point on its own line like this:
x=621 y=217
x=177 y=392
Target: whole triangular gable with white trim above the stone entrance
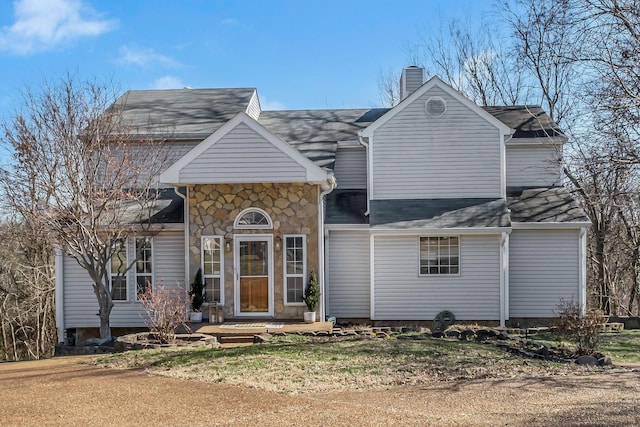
x=243 y=151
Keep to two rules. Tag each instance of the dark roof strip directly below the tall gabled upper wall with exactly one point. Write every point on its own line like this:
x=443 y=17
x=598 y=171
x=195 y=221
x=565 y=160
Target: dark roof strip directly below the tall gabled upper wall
x=439 y=213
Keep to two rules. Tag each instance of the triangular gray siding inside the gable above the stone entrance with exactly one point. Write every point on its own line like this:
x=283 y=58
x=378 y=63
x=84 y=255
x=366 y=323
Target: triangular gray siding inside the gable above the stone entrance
x=242 y=155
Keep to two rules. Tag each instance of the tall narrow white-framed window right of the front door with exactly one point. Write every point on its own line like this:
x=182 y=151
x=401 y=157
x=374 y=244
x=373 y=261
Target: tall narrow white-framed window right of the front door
x=295 y=268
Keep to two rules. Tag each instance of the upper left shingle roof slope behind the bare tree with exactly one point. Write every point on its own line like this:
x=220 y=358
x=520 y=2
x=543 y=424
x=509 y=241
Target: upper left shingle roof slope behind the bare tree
x=184 y=113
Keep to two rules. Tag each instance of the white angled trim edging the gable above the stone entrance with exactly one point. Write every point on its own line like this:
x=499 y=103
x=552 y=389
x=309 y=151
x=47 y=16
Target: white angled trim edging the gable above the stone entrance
x=313 y=172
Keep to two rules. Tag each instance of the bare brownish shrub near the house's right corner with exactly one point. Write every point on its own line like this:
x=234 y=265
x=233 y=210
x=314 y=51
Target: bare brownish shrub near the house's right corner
x=582 y=331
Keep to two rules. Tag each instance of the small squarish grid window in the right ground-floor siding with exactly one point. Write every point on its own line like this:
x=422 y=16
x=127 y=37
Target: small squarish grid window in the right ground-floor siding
x=439 y=255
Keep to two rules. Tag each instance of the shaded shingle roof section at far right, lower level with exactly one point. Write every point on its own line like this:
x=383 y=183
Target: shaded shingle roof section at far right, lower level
x=544 y=205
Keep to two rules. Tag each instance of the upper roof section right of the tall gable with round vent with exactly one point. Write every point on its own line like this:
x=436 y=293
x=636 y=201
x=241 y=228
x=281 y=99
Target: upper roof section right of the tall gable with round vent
x=529 y=121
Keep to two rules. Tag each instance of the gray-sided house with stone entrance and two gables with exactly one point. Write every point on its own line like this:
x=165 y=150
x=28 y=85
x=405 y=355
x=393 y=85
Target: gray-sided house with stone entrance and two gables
x=435 y=204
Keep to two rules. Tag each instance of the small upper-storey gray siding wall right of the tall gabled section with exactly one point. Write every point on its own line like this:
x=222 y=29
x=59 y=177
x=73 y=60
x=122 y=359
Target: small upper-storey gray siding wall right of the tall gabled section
x=533 y=166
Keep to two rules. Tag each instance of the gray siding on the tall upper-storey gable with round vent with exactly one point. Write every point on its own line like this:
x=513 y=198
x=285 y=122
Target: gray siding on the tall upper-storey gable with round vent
x=416 y=156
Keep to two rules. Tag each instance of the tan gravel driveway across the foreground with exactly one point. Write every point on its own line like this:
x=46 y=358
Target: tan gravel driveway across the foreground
x=63 y=392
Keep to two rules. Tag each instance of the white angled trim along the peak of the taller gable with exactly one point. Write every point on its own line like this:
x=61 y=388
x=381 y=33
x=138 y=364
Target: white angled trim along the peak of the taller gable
x=436 y=82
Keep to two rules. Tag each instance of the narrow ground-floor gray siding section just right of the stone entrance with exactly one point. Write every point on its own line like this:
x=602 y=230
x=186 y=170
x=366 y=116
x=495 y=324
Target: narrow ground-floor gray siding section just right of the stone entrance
x=349 y=280
